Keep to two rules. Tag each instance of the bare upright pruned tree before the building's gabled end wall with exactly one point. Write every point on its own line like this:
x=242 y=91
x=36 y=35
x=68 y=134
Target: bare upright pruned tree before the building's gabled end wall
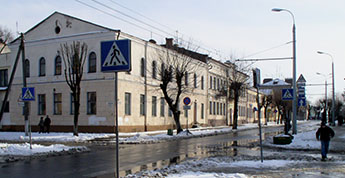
x=74 y=56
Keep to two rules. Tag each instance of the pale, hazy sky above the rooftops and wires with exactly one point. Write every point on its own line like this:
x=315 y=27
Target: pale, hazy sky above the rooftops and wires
x=236 y=28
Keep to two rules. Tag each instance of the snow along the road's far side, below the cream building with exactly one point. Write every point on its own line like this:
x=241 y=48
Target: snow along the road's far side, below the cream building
x=139 y=137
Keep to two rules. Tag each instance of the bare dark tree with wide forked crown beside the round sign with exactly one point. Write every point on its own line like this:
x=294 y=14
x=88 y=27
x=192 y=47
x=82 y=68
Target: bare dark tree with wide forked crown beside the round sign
x=177 y=64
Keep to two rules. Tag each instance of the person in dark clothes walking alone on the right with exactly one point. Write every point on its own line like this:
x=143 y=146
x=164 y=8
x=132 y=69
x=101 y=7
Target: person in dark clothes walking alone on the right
x=324 y=133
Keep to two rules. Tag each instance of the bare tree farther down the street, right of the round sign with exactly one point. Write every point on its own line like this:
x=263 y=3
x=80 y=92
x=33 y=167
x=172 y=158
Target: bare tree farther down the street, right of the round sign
x=237 y=82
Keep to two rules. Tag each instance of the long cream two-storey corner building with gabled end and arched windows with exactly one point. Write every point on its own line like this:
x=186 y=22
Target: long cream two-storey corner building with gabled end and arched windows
x=141 y=104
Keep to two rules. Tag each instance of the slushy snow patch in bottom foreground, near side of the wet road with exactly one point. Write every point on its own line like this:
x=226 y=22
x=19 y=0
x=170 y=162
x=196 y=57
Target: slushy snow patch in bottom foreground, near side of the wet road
x=205 y=168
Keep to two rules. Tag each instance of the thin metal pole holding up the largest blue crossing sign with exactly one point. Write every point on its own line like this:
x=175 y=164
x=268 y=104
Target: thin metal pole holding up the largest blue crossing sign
x=116 y=127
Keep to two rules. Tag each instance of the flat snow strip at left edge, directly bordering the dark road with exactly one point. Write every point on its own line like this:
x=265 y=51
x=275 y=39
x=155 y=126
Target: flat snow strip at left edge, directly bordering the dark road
x=24 y=149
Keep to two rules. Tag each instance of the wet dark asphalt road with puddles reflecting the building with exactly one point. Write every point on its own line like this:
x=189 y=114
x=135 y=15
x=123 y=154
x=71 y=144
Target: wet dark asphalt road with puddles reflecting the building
x=100 y=161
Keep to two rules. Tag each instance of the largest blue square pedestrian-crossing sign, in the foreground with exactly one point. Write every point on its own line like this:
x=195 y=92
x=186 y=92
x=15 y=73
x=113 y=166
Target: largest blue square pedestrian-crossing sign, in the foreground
x=116 y=55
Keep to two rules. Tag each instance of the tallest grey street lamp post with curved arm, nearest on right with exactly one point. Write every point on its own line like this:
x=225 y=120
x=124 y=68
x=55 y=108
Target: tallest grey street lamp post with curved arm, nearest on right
x=294 y=102
